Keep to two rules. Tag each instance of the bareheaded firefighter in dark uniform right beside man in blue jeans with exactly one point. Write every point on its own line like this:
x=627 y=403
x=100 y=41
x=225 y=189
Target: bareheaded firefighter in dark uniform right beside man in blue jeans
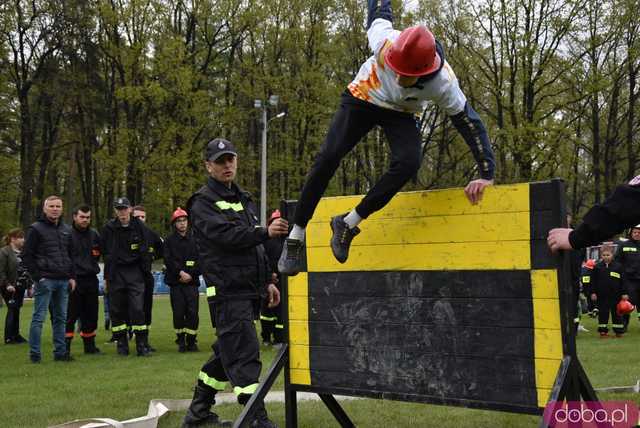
x=83 y=301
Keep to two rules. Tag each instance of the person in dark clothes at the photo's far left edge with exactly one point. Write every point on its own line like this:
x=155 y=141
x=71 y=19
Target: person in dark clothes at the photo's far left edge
x=14 y=281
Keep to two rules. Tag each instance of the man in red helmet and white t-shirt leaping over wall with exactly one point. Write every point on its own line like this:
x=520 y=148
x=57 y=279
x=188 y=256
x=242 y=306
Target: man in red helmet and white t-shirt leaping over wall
x=406 y=71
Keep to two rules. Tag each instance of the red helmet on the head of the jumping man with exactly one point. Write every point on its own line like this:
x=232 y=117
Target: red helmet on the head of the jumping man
x=414 y=52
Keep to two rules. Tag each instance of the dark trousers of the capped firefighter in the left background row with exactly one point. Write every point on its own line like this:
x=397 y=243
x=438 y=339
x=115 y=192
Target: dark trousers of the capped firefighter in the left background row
x=126 y=299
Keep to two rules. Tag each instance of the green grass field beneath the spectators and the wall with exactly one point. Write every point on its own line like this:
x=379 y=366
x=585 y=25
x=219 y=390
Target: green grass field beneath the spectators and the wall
x=38 y=395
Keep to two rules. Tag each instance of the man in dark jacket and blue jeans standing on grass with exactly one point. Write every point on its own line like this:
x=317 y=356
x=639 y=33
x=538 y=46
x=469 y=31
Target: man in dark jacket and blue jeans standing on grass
x=48 y=258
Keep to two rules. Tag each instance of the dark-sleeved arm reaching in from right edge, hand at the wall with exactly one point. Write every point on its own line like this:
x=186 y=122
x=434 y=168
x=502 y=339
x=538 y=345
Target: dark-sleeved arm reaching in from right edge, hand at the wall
x=618 y=212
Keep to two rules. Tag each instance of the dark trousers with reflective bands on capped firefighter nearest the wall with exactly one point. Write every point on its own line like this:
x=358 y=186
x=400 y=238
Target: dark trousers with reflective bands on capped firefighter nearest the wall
x=236 y=354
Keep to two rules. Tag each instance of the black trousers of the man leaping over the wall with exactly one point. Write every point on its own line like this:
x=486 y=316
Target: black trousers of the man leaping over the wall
x=353 y=120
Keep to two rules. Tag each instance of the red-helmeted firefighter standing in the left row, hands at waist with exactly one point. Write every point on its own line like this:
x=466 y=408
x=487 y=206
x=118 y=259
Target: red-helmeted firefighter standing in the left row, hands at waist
x=183 y=278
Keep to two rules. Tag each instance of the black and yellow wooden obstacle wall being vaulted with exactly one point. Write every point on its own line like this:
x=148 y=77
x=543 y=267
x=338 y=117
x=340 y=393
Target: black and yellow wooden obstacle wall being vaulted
x=440 y=301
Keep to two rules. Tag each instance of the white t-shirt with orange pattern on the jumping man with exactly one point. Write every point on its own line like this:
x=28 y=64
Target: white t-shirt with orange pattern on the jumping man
x=376 y=82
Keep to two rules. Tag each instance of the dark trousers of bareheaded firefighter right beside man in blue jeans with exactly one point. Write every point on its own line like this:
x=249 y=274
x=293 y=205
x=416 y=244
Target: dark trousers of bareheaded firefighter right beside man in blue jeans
x=83 y=305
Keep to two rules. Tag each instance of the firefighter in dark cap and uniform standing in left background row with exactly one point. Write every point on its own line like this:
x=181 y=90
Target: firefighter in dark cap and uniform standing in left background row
x=124 y=247
